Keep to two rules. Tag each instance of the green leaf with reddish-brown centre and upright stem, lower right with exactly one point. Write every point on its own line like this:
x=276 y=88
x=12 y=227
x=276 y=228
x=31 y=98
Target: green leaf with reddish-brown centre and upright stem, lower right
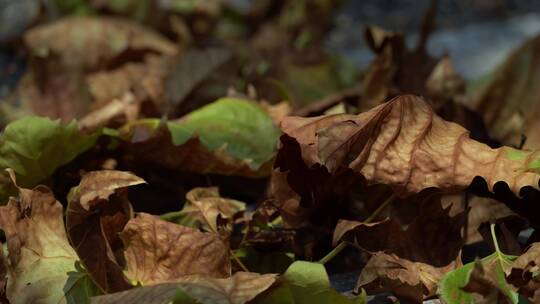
x=479 y=282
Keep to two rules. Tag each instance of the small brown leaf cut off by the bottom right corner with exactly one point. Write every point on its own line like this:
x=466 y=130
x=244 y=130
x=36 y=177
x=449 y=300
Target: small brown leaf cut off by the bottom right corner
x=524 y=273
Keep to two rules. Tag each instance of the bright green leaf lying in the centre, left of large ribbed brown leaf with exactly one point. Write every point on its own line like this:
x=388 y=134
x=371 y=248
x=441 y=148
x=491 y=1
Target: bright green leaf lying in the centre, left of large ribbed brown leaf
x=240 y=126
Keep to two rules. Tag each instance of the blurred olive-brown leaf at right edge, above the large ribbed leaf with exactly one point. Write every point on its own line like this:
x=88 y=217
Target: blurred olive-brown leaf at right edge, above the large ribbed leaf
x=508 y=101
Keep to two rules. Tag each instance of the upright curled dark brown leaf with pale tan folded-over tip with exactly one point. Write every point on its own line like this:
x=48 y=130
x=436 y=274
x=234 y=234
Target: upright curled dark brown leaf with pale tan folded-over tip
x=97 y=211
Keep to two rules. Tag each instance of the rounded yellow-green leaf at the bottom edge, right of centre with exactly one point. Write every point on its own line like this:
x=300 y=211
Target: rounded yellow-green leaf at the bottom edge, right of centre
x=306 y=283
